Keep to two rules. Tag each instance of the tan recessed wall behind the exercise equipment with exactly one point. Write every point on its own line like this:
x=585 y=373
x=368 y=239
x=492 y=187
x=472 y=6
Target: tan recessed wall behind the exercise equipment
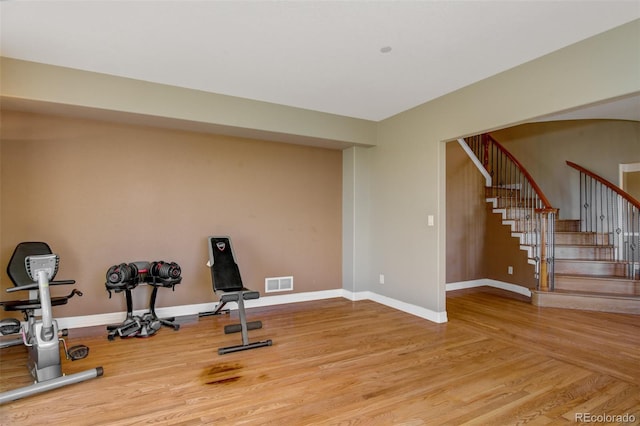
x=102 y=193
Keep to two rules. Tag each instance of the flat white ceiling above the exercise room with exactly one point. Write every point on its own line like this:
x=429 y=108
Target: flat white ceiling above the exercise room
x=318 y=55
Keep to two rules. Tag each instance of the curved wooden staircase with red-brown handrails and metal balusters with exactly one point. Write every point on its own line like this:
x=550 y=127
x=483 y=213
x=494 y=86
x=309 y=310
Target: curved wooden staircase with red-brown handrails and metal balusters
x=591 y=263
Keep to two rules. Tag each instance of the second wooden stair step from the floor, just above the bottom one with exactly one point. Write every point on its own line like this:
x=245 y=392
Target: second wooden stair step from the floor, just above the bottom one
x=588 y=283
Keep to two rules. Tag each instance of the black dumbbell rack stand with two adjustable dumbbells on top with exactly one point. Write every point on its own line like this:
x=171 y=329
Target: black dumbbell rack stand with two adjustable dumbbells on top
x=126 y=277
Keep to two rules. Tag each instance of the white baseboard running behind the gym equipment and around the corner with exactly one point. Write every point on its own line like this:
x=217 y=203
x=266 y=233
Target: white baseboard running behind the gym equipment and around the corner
x=186 y=310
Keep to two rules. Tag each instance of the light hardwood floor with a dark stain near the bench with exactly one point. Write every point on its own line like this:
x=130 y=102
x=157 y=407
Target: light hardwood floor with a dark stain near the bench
x=498 y=361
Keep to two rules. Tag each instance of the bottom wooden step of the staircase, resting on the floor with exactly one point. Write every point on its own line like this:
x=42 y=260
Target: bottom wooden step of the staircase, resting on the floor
x=586 y=301
